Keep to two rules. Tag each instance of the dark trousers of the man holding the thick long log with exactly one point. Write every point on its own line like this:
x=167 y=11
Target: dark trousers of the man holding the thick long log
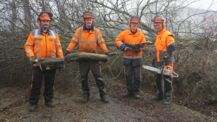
x=94 y=66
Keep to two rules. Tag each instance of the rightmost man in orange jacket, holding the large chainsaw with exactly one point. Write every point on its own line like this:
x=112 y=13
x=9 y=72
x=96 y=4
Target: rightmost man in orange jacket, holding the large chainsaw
x=164 y=58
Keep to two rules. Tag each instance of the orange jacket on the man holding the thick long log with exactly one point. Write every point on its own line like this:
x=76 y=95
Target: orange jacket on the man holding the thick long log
x=87 y=41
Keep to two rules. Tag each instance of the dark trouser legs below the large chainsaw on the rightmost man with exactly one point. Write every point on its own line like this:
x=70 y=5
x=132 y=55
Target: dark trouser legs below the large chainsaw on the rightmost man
x=164 y=86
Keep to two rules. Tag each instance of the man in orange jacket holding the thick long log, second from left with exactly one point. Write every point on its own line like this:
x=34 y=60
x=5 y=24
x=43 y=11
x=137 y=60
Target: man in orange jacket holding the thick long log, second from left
x=89 y=39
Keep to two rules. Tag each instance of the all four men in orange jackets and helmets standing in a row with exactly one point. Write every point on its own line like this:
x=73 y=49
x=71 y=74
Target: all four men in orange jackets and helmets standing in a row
x=44 y=43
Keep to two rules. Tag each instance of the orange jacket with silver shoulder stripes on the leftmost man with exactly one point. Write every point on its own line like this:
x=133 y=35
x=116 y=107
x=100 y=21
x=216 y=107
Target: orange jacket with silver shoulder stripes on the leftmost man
x=41 y=45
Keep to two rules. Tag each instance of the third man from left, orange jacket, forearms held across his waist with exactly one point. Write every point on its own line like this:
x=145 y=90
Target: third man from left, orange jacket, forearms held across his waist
x=132 y=43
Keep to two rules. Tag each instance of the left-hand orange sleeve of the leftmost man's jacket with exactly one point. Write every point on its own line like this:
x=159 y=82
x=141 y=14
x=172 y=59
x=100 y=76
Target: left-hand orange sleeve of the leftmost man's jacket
x=29 y=46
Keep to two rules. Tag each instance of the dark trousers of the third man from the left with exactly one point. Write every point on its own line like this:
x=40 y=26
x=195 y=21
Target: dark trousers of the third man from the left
x=133 y=71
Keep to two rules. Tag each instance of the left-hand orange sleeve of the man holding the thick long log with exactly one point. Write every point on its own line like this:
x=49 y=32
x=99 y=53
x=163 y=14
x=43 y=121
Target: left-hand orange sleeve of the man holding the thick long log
x=74 y=41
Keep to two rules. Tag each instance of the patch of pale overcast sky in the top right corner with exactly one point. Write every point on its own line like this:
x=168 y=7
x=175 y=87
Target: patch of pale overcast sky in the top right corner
x=205 y=4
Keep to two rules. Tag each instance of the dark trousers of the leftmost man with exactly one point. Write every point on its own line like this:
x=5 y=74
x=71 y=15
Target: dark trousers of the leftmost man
x=38 y=75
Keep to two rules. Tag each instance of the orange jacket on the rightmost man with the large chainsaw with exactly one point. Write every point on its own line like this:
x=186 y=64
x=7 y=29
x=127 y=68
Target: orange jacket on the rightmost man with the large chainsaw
x=163 y=40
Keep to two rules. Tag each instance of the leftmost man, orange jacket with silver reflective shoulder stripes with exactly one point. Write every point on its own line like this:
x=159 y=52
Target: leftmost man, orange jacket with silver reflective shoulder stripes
x=42 y=43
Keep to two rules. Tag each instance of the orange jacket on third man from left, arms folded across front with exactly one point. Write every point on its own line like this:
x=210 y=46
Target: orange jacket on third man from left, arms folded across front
x=127 y=37
